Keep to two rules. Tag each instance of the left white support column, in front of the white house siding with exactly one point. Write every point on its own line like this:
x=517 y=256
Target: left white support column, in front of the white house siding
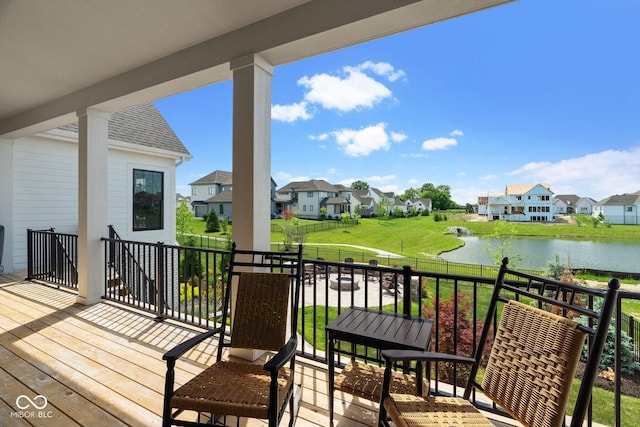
x=92 y=203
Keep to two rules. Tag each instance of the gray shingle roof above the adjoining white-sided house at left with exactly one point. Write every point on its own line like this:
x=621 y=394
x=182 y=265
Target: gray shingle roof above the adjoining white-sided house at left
x=141 y=125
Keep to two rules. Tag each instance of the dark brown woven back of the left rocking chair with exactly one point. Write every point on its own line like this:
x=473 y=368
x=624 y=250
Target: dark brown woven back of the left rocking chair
x=260 y=320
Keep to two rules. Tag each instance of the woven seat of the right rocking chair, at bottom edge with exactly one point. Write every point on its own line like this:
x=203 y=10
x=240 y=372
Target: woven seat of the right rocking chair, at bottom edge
x=433 y=411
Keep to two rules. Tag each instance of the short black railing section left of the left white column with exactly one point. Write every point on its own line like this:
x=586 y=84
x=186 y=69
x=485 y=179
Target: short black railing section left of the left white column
x=53 y=257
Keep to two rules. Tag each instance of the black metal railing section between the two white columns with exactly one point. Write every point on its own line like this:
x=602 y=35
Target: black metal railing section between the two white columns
x=176 y=282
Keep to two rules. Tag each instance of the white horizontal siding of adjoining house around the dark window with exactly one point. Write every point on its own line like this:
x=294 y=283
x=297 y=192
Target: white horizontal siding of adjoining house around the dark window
x=45 y=192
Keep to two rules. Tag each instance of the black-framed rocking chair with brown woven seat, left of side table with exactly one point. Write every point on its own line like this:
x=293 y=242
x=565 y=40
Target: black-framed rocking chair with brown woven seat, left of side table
x=266 y=302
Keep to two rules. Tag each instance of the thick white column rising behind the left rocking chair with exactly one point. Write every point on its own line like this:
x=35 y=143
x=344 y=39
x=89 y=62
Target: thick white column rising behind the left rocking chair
x=251 y=152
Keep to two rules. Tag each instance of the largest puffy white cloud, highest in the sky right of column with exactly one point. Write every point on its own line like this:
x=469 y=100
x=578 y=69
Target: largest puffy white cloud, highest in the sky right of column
x=354 y=90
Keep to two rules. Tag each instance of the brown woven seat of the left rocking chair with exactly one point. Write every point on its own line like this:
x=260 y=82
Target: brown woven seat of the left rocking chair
x=232 y=388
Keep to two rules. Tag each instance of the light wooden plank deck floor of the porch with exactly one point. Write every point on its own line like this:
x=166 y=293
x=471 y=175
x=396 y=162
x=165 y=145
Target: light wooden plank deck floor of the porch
x=101 y=365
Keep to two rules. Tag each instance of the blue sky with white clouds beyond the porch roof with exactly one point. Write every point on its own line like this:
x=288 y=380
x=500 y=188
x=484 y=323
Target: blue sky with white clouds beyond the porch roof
x=536 y=91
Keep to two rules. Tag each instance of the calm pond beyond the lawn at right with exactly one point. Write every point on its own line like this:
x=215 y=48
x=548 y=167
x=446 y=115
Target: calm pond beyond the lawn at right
x=537 y=253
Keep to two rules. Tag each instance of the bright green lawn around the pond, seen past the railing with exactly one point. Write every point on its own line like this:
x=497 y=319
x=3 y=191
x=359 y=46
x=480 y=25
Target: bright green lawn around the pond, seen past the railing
x=421 y=236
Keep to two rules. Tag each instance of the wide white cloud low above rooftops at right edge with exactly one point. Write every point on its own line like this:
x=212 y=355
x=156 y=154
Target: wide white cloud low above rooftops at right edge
x=595 y=175
